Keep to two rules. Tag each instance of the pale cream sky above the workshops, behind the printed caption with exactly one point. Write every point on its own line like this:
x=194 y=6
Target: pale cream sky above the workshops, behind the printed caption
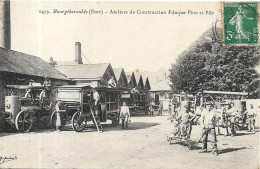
x=138 y=41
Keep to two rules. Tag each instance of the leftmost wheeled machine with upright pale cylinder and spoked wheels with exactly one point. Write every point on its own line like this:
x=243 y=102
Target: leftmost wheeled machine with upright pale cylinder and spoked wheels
x=23 y=113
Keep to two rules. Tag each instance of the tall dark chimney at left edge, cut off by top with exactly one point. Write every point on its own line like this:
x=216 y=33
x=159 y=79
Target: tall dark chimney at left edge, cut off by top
x=5 y=26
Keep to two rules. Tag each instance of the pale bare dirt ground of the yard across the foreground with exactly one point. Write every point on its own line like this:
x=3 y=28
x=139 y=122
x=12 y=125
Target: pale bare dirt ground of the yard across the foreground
x=144 y=145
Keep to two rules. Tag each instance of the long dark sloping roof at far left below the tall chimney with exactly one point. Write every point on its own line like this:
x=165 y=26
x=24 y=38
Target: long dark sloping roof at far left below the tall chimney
x=17 y=62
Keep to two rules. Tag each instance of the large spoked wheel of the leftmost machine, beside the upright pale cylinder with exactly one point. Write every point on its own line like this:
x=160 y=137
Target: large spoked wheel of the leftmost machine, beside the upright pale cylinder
x=24 y=121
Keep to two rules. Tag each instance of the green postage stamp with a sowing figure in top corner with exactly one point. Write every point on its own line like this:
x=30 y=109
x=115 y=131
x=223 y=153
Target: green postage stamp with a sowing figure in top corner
x=240 y=23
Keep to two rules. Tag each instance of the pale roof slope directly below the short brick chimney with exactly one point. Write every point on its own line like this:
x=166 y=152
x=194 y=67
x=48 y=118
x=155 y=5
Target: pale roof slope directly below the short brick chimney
x=84 y=71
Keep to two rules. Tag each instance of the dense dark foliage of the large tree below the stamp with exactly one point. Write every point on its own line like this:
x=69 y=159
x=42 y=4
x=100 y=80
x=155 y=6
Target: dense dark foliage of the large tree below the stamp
x=207 y=64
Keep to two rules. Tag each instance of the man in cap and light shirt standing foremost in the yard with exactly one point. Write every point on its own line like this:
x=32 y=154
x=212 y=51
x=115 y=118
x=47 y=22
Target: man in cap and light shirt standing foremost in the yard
x=208 y=123
